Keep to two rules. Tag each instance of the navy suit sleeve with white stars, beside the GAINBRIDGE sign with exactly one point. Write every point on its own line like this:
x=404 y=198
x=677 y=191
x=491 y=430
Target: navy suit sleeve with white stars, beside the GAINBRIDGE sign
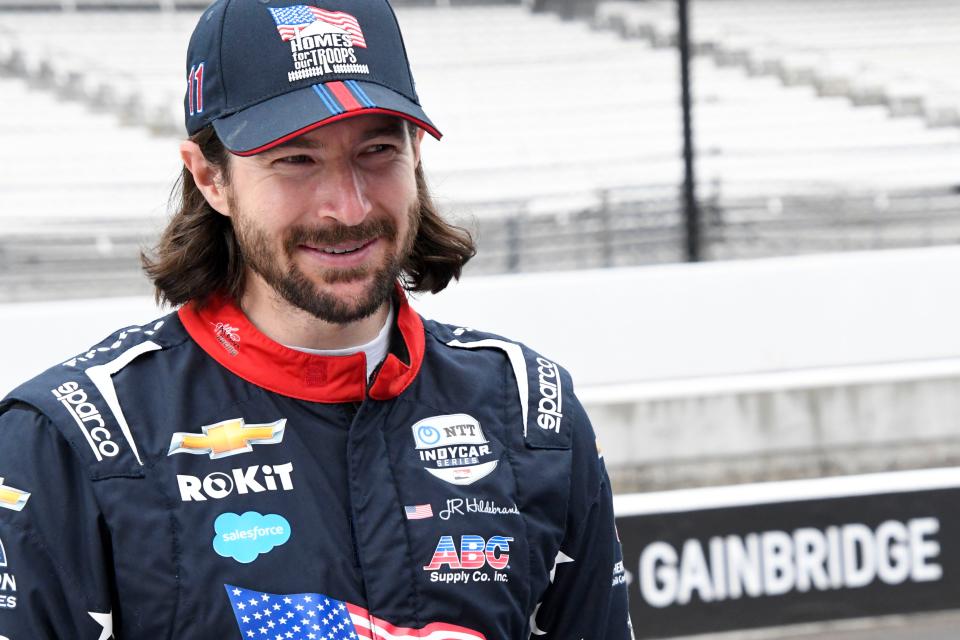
x=587 y=596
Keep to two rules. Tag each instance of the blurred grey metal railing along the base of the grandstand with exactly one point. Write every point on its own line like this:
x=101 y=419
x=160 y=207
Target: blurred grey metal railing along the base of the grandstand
x=56 y=259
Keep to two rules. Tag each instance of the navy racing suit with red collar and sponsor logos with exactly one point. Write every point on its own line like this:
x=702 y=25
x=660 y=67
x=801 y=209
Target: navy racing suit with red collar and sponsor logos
x=191 y=478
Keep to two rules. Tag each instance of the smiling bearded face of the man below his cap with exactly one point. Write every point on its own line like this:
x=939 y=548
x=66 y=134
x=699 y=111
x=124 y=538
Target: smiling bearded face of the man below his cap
x=328 y=219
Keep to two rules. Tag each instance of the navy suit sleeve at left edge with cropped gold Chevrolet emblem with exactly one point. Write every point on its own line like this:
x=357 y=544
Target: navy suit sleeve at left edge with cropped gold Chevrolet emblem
x=53 y=582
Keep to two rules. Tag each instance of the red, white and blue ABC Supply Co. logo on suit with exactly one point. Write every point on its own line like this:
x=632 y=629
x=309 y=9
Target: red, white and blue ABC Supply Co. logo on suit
x=475 y=554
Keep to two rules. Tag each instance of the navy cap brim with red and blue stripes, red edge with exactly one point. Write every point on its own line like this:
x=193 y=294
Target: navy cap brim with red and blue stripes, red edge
x=277 y=120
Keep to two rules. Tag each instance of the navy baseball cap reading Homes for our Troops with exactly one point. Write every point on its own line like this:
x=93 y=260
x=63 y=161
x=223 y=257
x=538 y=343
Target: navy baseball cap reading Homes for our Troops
x=265 y=71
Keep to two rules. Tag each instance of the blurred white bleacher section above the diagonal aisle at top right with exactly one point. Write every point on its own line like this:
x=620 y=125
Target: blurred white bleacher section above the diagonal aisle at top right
x=908 y=51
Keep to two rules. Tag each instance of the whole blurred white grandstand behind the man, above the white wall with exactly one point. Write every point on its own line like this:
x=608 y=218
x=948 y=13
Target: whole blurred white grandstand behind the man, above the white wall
x=562 y=142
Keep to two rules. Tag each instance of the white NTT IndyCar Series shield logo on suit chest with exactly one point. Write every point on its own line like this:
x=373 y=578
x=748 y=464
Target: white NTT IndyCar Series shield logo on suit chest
x=453 y=448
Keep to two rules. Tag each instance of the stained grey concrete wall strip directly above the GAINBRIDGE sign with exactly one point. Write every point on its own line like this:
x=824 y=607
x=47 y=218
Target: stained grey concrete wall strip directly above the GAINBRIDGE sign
x=892 y=417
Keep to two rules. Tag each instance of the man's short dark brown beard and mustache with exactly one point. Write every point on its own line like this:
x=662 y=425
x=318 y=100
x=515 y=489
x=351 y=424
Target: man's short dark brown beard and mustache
x=290 y=282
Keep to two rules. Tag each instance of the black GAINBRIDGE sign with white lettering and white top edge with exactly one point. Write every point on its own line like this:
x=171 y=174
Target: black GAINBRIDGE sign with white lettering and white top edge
x=761 y=555
